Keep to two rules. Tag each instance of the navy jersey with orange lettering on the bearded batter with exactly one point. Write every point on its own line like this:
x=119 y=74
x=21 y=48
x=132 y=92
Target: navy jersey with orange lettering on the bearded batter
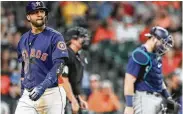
x=39 y=53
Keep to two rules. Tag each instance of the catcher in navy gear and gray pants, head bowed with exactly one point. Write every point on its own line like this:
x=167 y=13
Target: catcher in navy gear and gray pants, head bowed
x=144 y=87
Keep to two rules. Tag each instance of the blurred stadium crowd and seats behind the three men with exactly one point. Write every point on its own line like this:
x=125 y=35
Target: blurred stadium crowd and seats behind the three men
x=116 y=29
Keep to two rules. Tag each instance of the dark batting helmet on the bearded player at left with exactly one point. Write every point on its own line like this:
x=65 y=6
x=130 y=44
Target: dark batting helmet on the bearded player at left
x=35 y=5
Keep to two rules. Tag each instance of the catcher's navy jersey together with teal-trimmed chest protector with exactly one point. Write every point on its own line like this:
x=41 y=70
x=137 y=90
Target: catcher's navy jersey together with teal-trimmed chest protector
x=147 y=68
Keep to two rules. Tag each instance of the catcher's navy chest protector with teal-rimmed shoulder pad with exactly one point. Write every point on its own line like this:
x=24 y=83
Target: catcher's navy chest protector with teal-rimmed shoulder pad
x=152 y=63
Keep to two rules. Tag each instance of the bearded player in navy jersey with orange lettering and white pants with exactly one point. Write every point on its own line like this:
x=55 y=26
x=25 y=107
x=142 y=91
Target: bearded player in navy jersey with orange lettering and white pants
x=42 y=52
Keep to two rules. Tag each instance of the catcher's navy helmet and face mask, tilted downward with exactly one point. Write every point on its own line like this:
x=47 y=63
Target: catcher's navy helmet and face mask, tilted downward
x=162 y=35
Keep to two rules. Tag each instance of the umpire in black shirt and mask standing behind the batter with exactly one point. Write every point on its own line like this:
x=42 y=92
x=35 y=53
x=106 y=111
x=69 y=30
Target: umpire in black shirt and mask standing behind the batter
x=76 y=38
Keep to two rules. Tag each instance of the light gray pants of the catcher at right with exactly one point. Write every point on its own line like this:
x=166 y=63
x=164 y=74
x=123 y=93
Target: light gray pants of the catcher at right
x=145 y=103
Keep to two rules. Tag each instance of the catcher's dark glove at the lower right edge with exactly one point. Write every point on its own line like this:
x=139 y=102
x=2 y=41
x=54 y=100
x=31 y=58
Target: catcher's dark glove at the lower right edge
x=172 y=106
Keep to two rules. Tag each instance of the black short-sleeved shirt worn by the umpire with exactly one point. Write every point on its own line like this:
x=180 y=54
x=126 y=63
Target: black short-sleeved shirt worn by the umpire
x=75 y=75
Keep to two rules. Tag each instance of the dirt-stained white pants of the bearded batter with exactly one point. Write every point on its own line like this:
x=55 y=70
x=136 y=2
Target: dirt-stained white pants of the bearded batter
x=53 y=101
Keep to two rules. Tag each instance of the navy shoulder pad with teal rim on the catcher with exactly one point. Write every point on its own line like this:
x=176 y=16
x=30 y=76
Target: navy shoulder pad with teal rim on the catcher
x=140 y=56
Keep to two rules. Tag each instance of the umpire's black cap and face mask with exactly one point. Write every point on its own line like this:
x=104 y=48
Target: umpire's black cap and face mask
x=78 y=32
